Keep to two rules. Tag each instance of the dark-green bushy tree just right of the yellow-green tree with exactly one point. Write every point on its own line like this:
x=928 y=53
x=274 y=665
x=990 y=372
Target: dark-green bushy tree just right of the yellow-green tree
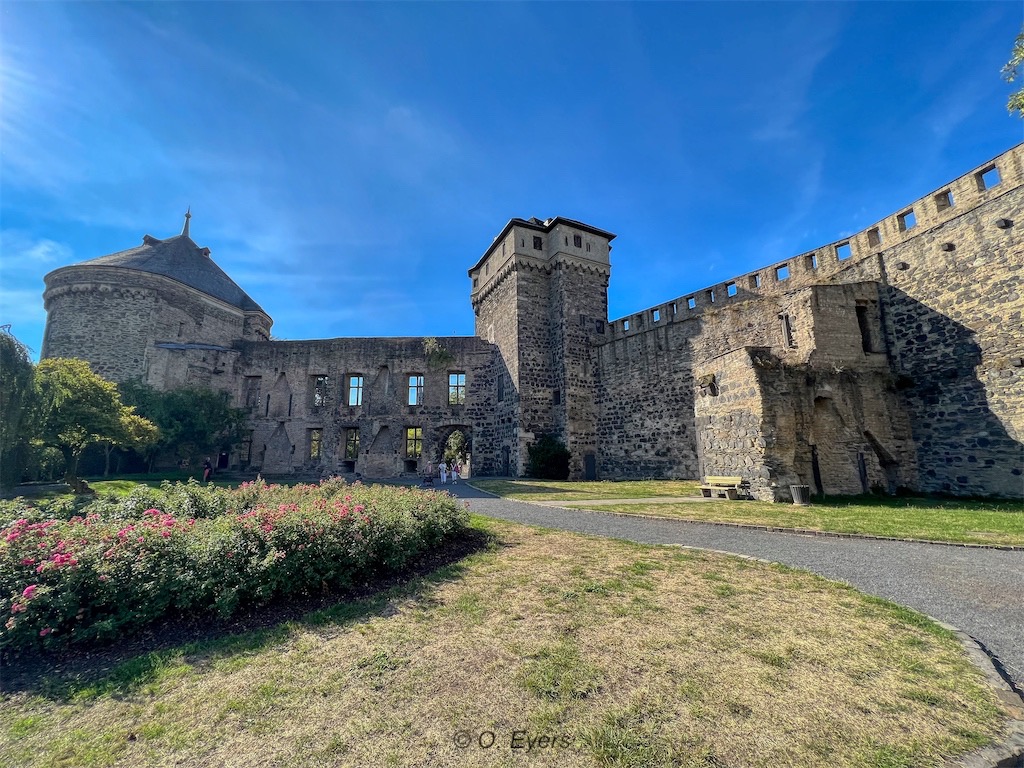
x=193 y=422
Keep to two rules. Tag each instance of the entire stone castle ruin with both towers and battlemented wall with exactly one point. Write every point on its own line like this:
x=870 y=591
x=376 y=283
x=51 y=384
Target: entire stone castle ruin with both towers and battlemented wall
x=893 y=359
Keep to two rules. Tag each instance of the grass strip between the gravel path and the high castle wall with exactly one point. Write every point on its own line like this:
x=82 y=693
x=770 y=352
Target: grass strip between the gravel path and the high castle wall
x=933 y=520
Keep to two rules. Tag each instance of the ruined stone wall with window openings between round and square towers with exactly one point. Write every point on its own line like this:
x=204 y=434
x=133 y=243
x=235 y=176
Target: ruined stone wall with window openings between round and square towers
x=288 y=371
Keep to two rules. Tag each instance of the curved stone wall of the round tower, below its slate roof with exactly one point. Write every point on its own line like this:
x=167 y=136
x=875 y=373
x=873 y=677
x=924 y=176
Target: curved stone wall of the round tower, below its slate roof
x=114 y=318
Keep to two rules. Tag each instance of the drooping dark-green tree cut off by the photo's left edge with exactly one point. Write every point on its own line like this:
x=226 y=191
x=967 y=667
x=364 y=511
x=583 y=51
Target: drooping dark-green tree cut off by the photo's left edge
x=17 y=374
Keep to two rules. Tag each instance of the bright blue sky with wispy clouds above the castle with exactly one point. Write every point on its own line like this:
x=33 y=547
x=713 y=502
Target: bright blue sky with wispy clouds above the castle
x=349 y=163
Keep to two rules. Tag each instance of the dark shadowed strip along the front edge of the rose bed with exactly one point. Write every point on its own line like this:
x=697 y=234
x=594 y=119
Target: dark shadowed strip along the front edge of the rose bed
x=127 y=666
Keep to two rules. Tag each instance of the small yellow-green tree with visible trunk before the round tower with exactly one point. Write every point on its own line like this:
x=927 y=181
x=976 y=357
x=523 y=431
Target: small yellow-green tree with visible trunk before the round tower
x=76 y=408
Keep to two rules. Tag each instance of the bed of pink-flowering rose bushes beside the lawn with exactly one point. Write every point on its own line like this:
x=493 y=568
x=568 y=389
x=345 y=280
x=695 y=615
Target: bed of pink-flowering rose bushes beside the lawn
x=115 y=569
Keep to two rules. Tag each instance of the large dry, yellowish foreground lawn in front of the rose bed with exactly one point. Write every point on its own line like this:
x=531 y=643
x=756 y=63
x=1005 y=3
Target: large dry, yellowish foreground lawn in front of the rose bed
x=562 y=650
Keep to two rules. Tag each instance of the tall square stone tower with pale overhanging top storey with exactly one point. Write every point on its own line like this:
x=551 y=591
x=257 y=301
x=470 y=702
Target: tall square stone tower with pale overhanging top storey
x=541 y=295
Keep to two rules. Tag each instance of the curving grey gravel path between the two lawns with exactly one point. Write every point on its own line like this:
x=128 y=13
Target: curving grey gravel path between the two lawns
x=980 y=591
